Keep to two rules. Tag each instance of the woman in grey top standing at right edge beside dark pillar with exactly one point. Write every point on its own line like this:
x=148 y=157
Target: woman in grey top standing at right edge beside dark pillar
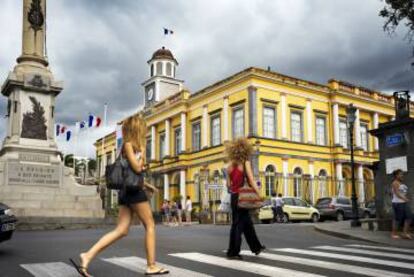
x=400 y=207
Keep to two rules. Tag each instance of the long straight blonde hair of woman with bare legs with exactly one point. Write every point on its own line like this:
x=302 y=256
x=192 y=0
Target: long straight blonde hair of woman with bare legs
x=134 y=130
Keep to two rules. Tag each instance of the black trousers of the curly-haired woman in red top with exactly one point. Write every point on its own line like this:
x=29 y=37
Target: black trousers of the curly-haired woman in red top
x=241 y=224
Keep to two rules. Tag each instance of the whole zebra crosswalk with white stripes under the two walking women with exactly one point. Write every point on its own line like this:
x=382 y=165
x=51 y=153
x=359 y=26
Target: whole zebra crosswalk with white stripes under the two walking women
x=320 y=260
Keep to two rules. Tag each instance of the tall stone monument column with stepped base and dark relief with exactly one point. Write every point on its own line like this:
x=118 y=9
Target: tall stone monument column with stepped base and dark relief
x=33 y=180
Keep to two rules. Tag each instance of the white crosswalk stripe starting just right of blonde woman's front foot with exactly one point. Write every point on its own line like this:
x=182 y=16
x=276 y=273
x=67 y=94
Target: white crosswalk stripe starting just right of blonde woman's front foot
x=261 y=269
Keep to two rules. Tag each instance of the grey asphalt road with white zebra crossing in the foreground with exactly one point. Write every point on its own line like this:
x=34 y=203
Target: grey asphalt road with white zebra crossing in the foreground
x=294 y=250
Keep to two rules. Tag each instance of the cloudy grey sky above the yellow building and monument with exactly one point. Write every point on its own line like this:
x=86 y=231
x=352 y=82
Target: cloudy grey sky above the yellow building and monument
x=100 y=48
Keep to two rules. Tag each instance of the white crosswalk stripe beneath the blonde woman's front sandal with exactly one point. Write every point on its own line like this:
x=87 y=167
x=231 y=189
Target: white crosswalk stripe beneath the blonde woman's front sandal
x=139 y=265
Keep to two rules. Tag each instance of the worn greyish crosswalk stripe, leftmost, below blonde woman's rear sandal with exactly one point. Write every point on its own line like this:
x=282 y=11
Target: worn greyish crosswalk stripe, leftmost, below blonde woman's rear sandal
x=51 y=270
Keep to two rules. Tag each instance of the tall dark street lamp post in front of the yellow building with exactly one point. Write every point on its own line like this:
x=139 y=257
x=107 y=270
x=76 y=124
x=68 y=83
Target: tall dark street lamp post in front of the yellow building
x=350 y=117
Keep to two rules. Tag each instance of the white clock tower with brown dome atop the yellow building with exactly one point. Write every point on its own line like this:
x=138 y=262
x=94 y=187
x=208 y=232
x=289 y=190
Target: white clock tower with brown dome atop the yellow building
x=162 y=82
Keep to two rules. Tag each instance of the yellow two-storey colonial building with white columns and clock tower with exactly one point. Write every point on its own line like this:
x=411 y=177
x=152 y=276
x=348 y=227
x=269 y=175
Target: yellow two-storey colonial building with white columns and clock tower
x=298 y=129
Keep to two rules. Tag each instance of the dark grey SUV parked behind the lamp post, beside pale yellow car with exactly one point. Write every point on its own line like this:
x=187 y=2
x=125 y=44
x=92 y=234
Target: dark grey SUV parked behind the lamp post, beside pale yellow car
x=338 y=208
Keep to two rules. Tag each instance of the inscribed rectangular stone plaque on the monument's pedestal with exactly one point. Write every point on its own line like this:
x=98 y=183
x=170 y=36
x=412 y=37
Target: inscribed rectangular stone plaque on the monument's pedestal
x=38 y=175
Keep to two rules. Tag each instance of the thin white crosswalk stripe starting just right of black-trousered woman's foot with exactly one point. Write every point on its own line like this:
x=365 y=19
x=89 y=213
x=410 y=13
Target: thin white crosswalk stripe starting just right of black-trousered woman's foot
x=346 y=257
